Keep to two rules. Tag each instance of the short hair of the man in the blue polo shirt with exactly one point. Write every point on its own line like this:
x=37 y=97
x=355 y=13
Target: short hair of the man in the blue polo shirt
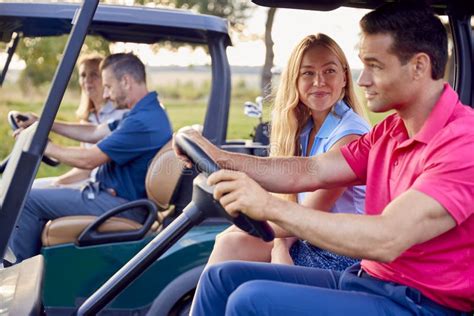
x=125 y=63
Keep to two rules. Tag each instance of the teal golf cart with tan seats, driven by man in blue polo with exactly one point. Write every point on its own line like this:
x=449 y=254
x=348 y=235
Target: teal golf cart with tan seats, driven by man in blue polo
x=80 y=253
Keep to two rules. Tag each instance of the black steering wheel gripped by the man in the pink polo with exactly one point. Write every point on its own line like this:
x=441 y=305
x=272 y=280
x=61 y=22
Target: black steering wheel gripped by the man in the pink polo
x=206 y=165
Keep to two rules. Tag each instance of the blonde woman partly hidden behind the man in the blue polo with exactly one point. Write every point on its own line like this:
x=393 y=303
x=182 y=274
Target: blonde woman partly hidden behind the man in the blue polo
x=92 y=109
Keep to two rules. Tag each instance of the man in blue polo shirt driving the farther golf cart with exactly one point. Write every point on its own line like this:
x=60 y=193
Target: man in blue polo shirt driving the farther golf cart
x=122 y=152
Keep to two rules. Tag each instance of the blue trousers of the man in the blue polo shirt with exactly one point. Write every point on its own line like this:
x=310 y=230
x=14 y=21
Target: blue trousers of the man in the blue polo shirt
x=43 y=205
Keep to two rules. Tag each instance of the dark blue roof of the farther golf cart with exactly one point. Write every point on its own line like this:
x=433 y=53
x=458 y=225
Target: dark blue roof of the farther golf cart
x=114 y=23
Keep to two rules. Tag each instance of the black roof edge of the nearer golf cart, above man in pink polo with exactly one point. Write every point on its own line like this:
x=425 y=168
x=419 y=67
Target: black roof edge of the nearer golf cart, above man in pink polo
x=440 y=6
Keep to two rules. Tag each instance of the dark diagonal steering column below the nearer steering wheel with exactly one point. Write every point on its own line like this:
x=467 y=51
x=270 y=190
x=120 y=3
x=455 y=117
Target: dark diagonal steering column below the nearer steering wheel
x=141 y=261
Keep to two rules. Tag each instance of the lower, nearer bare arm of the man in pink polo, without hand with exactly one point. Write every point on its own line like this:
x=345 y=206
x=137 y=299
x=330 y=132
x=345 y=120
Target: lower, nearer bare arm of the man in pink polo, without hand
x=410 y=219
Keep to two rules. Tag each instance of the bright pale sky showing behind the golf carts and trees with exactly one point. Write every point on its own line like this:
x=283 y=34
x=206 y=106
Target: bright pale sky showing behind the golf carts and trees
x=290 y=26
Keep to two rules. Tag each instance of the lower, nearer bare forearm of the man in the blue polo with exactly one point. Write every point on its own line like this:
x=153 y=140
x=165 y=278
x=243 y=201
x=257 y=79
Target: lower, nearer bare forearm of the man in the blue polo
x=79 y=157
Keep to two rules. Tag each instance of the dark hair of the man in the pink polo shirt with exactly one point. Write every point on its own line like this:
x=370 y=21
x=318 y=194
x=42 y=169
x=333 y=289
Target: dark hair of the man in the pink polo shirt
x=414 y=29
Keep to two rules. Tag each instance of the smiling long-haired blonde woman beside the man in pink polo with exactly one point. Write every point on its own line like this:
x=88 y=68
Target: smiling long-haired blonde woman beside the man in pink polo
x=315 y=111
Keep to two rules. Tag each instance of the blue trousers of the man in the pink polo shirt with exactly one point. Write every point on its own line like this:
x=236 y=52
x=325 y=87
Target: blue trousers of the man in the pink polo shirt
x=244 y=288
